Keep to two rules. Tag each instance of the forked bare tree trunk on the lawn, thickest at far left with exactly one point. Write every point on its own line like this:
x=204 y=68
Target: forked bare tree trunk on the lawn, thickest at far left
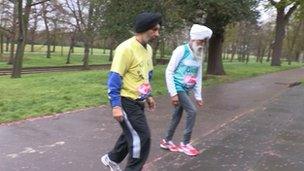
x=23 y=24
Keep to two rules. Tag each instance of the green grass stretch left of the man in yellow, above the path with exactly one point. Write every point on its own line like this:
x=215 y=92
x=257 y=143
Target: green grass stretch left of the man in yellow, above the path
x=44 y=94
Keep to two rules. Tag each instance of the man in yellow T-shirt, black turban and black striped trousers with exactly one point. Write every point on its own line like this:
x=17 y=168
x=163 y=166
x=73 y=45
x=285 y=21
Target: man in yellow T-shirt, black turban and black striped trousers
x=128 y=89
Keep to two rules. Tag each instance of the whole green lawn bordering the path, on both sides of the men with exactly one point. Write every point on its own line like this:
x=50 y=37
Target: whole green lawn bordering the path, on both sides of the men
x=49 y=93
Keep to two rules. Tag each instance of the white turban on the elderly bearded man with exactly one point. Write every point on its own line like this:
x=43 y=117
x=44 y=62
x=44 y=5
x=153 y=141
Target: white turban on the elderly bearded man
x=200 y=32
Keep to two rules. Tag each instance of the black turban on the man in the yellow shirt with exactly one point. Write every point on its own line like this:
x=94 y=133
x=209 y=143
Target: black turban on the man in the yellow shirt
x=146 y=20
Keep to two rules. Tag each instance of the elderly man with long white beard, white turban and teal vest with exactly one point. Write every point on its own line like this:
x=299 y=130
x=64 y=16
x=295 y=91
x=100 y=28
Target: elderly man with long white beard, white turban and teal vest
x=184 y=75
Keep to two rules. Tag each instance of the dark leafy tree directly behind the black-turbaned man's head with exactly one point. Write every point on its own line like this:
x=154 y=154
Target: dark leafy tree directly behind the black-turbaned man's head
x=119 y=17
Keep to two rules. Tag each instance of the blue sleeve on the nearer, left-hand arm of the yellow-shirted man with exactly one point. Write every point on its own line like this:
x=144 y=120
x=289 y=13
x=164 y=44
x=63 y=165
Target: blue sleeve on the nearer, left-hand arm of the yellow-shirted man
x=114 y=87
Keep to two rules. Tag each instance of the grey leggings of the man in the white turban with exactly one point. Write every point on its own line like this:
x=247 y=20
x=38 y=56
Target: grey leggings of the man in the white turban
x=186 y=104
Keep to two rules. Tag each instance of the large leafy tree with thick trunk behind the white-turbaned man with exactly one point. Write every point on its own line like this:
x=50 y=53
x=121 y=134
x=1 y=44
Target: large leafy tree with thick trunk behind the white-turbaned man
x=217 y=15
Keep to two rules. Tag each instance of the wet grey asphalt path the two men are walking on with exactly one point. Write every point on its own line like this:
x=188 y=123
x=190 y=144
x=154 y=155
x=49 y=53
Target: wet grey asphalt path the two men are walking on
x=253 y=124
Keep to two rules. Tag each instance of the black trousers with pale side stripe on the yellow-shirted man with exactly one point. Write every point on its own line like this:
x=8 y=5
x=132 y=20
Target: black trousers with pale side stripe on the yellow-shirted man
x=135 y=139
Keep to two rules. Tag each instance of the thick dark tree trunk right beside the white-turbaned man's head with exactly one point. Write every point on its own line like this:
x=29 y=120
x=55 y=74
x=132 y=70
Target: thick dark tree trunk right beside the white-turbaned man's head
x=215 y=65
